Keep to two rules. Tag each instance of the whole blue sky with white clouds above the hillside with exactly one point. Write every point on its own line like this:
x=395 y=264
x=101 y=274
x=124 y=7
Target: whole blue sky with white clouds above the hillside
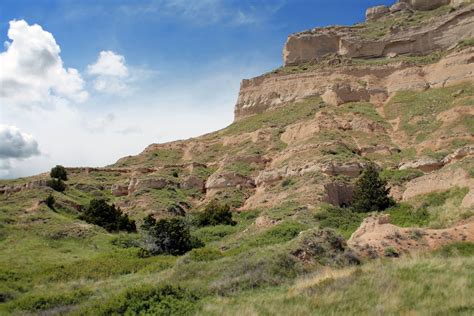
x=83 y=83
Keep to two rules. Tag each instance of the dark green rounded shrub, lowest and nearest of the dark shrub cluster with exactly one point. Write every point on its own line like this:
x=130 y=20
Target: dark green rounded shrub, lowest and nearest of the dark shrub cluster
x=167 y=236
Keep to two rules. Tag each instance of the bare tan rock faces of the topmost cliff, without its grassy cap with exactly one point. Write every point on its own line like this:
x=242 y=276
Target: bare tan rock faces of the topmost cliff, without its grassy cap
x=447 y=31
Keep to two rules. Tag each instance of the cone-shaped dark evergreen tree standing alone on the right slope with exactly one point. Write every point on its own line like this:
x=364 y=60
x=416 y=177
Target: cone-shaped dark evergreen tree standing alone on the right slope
x=371 y=192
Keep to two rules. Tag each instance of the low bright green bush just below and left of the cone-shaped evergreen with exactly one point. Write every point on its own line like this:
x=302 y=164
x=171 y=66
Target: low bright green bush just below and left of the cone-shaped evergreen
x=344 y=220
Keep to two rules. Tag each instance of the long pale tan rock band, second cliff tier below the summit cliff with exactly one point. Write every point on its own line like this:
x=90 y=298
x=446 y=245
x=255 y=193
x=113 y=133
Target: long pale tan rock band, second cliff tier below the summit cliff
x=343 y=84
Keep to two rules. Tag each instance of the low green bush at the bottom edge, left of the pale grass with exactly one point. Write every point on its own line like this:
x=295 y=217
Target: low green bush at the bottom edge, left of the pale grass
x=162 y=300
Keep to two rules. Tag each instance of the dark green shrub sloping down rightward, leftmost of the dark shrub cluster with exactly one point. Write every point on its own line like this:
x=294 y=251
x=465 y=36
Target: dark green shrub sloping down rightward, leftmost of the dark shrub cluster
x=107 y=216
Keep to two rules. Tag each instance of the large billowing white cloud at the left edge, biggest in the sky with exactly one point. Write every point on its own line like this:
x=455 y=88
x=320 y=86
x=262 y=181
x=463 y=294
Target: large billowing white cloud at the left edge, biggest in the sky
x=32 y=71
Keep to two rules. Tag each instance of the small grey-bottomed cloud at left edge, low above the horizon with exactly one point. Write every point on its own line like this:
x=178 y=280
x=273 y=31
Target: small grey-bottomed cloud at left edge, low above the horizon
x=15 y=145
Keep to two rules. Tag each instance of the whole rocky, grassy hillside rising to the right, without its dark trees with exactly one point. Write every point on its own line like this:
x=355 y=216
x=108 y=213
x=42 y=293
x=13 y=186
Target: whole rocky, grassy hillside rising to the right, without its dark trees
x=396 y=90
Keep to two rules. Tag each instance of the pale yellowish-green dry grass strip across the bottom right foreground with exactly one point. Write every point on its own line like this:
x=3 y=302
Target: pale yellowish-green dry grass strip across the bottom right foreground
x=413 y=286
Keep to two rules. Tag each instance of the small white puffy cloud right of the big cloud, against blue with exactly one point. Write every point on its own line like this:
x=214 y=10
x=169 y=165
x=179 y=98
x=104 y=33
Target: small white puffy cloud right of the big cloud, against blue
x=111 y=73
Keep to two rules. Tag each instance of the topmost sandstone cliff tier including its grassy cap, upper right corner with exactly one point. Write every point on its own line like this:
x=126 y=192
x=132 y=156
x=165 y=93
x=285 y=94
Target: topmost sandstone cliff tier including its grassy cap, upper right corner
x=389 y=32
